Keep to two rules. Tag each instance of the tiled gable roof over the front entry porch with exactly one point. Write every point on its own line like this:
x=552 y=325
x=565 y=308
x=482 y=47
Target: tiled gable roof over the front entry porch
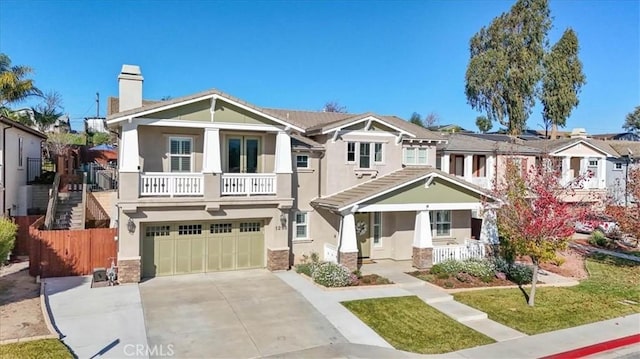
x=387 y=183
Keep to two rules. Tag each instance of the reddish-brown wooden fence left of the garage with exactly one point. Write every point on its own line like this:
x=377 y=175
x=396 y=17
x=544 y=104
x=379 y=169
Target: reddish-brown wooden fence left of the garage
x=63 y=253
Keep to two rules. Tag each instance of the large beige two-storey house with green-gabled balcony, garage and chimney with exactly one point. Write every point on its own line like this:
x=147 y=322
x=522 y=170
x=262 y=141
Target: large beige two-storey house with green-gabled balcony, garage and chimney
x=210 y=182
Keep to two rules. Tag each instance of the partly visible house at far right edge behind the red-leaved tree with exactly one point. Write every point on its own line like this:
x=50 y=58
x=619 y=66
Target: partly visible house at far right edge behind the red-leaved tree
x=628 y=156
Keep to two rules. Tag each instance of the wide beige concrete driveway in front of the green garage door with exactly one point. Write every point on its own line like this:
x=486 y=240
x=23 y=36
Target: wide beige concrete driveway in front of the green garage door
x=241 y=314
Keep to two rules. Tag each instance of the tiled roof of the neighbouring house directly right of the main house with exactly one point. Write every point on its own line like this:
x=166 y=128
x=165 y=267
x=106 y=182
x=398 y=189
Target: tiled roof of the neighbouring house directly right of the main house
x=467 y=143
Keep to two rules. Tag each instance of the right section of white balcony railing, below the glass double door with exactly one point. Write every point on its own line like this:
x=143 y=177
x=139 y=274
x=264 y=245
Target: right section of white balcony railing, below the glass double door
x=246 y=184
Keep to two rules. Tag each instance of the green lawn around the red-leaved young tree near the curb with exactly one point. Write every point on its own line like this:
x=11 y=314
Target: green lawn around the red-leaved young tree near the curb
x=598 y=298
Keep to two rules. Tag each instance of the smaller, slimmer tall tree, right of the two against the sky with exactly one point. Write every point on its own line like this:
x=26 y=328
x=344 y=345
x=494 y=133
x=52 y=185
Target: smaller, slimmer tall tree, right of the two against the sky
x=561 y=81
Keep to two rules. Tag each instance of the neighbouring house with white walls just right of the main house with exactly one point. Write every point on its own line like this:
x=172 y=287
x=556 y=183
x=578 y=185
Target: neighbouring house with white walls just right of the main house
x=481 y=161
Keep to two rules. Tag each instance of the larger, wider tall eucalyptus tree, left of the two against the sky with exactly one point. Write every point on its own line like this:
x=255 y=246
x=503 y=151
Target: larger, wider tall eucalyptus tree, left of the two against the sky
x=506 y=64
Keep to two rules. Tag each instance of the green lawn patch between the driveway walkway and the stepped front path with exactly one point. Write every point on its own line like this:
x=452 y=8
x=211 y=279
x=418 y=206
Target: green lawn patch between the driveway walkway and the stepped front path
x=410 y=324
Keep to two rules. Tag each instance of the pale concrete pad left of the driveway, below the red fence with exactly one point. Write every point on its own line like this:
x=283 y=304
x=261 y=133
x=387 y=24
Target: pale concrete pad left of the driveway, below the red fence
x=97 y=323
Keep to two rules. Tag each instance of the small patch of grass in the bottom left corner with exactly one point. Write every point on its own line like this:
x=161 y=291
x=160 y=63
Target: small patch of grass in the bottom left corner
x=46 y=348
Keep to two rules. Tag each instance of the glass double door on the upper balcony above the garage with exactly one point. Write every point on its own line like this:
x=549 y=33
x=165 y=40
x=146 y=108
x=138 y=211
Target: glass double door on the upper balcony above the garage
x=243 y=154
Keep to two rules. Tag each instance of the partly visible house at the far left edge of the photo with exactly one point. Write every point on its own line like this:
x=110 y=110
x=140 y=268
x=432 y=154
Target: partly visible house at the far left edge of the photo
x=21 y=149
